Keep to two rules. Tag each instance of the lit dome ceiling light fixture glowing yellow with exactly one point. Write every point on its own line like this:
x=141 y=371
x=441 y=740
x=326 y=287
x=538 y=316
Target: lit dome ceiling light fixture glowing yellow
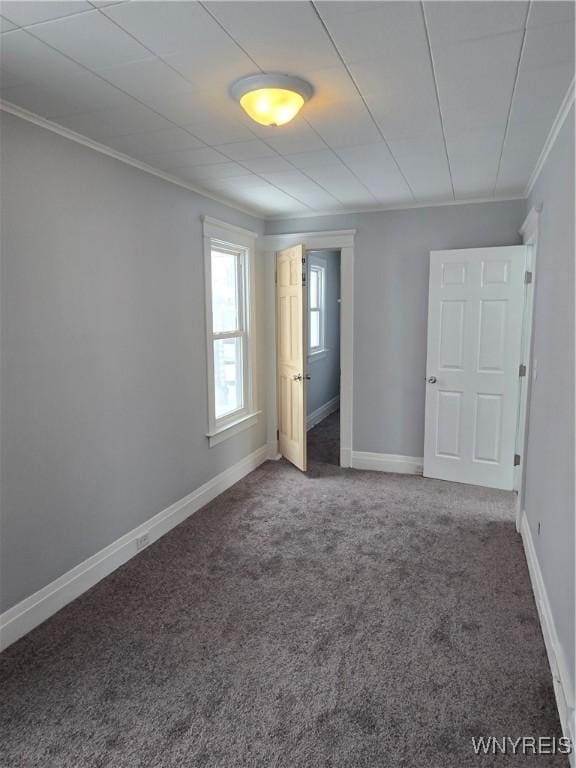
x=271 y=99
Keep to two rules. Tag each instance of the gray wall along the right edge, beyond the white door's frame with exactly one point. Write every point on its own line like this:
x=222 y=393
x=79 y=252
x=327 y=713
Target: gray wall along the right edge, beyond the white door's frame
x=550 y=455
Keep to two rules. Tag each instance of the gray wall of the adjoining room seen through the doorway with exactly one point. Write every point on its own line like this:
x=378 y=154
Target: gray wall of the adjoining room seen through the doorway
x=324 y=384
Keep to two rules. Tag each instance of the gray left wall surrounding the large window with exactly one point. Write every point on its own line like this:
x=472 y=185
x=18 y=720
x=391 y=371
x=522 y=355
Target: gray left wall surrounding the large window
x=104 y=392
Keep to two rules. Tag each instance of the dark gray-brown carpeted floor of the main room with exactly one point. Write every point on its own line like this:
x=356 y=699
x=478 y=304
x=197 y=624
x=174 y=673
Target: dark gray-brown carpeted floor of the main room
x=341 y=619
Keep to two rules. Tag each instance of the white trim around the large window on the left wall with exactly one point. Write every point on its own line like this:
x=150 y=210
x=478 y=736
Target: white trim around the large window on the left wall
x=242 y=419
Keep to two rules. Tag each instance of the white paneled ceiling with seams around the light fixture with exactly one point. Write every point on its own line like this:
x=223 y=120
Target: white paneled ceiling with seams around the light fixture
x=414 y=103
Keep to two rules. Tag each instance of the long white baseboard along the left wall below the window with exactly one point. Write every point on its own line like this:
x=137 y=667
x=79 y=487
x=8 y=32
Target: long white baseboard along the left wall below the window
x=32 y=611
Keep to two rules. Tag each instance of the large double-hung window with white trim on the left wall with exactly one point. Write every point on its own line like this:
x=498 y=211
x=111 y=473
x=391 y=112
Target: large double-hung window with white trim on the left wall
x=228 y=255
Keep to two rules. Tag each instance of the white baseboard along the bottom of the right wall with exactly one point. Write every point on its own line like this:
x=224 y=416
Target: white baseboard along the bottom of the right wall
x=563 y=686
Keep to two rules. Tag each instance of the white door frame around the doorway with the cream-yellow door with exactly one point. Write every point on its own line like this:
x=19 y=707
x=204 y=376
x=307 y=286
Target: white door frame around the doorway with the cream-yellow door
x=335 y=240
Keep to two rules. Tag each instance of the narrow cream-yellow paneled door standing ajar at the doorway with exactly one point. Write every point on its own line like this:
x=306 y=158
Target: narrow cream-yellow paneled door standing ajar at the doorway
x=291 y=353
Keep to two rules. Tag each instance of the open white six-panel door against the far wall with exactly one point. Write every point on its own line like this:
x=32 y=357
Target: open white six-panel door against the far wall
x=476 y=302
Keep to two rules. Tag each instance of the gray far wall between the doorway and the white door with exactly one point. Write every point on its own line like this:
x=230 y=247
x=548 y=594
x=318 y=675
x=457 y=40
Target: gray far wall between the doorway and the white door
x=391 y=305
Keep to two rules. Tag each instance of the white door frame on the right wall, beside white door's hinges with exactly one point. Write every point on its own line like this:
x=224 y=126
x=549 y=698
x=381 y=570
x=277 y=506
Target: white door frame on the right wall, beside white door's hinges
x=529 y=233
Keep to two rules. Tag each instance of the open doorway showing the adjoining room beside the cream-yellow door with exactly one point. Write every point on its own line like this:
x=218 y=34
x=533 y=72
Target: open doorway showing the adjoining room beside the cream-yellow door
x=323 y=356
